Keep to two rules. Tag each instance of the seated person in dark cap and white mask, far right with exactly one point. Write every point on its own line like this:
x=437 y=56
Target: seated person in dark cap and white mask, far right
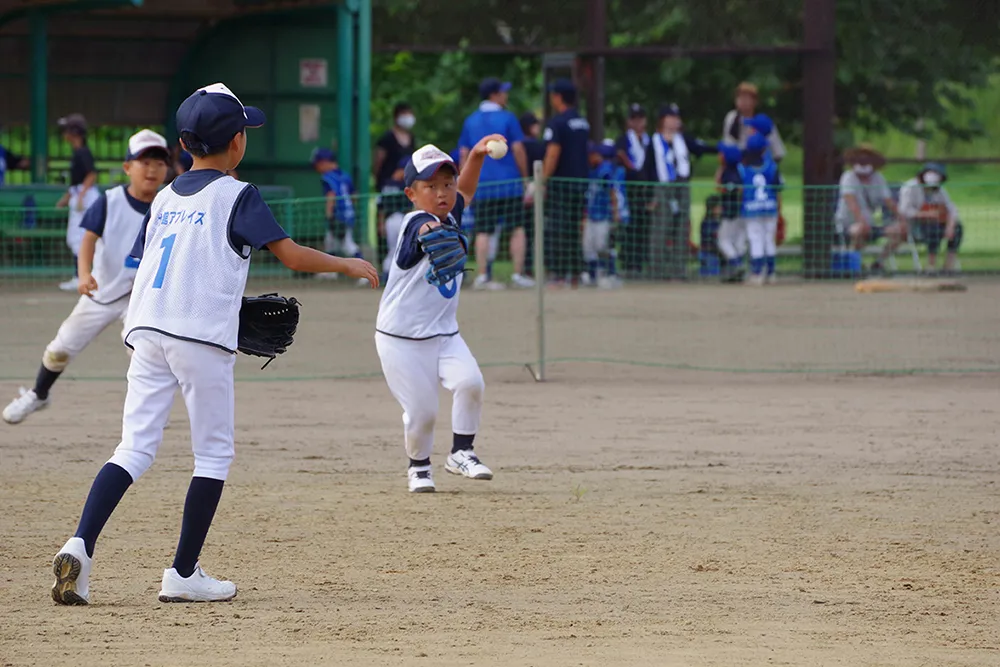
x=926 y=204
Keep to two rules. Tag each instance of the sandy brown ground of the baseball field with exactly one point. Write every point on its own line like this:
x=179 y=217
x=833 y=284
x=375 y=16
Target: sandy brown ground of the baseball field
x=639 y=516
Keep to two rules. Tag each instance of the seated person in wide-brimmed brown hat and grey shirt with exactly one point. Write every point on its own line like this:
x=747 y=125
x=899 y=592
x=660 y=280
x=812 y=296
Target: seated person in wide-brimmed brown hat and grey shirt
x=863 y=192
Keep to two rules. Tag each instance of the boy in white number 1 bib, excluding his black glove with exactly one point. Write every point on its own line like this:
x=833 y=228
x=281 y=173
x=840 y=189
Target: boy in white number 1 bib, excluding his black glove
x=194 y=250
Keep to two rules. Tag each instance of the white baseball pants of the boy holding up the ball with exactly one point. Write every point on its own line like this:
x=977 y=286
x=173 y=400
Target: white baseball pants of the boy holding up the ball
x=414 y=369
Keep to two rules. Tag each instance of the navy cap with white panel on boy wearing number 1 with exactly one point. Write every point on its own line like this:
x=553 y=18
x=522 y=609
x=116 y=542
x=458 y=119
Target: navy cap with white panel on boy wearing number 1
x=215 y=115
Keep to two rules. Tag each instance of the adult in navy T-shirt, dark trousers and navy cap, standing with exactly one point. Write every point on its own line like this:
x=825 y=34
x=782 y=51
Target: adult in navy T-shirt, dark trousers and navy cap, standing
x=566 y=161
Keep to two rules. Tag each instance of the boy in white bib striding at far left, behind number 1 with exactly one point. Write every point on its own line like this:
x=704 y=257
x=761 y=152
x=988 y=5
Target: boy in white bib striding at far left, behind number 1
x=105 y=270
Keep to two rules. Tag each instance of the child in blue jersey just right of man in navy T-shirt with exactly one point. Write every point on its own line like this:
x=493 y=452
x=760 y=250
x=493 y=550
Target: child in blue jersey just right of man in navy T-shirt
x=603 y=209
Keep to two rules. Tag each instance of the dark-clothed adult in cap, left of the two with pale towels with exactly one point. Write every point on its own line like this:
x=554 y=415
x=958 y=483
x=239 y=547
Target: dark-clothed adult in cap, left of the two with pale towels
x=632 y=146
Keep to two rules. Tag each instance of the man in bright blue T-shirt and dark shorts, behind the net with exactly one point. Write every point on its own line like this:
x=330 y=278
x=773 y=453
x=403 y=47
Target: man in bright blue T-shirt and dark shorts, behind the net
x=500 y=197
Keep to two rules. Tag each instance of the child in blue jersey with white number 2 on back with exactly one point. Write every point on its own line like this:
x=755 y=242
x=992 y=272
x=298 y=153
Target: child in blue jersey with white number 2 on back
x=759 y=208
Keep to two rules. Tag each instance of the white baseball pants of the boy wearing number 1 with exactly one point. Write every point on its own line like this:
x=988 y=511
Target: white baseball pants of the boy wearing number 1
x=160 y=364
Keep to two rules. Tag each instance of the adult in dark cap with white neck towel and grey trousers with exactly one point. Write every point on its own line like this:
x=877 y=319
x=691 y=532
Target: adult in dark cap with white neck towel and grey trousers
x=669 y=163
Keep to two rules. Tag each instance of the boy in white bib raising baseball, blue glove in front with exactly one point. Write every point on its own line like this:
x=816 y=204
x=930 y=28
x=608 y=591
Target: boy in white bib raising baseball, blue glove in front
x=417 y=334
